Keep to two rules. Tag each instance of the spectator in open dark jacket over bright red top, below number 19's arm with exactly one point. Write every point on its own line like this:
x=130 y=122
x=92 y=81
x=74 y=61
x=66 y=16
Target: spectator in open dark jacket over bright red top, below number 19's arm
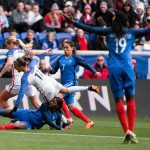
x=81 y=42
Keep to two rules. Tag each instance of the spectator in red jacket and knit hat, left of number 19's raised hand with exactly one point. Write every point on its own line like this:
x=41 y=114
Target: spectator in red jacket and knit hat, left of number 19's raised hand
x=53 y=19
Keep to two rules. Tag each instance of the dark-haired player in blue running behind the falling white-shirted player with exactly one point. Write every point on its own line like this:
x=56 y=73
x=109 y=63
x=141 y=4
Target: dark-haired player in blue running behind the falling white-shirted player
x=67 y=64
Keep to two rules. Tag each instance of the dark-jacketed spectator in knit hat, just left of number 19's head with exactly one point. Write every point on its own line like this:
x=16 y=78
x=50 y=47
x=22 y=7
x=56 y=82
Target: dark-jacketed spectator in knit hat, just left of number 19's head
x=104 y=13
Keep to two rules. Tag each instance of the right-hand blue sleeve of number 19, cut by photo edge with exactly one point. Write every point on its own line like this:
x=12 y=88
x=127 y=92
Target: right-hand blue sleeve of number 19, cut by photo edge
x=141 y=32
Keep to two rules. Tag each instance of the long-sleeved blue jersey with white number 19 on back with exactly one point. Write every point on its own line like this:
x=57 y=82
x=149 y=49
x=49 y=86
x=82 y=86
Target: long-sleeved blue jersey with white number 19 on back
x=119 y=48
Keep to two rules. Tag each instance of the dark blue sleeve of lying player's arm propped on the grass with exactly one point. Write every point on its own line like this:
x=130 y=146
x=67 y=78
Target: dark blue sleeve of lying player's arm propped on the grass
x=47 y=116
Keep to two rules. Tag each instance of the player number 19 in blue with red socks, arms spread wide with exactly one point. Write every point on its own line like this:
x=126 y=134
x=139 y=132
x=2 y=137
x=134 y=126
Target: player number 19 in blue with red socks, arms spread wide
x=120 y=40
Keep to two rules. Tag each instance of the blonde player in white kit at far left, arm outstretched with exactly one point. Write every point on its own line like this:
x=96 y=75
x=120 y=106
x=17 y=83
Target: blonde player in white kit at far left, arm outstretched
x=12 y=89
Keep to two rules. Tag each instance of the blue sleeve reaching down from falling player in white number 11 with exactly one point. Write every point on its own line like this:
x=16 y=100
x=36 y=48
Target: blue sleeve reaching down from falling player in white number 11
x=23 y=88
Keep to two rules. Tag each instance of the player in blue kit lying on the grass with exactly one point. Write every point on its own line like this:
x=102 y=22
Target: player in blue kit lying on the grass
x=48 y=113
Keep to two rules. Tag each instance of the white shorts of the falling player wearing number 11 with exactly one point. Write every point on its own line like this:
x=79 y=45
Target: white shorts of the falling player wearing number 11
x=53 y=89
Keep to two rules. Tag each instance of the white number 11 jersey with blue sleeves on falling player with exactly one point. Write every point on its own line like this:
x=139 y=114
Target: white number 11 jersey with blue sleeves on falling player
x=46 y=85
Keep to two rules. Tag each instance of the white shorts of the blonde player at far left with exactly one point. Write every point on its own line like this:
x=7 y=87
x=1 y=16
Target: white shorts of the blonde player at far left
x=14 y=89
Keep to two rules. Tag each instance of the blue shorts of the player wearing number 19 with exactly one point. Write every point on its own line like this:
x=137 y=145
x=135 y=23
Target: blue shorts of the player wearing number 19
x=122 y=80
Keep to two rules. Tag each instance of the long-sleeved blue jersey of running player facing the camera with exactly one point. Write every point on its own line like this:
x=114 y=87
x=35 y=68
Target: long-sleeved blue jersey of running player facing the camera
x=68 y=68
